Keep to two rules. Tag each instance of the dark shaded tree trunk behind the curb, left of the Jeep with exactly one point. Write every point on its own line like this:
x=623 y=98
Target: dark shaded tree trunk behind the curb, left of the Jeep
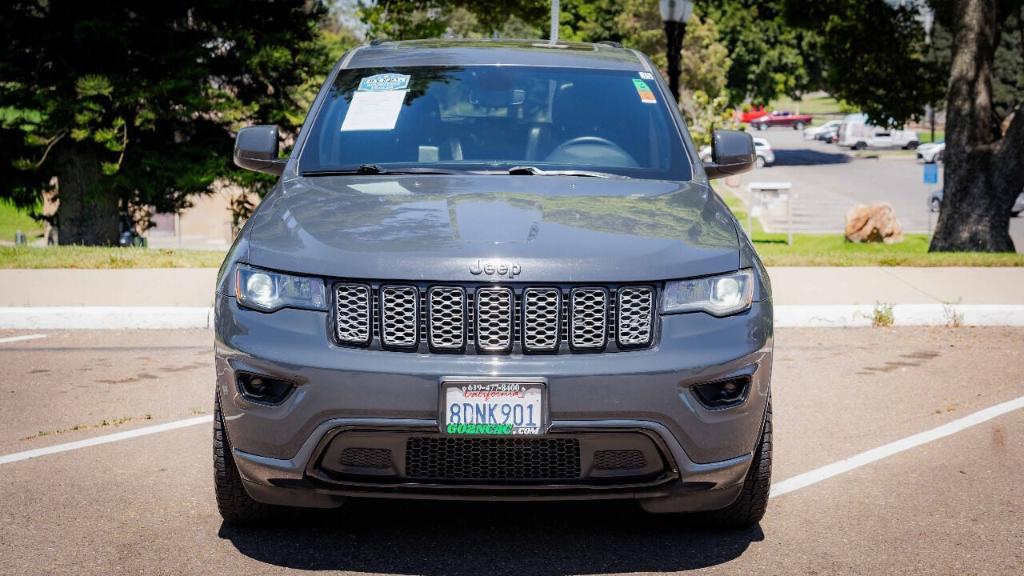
x=89 y=211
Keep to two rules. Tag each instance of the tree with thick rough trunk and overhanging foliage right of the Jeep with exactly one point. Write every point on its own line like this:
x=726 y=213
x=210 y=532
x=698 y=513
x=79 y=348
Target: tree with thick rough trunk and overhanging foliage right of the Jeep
x=876 y=52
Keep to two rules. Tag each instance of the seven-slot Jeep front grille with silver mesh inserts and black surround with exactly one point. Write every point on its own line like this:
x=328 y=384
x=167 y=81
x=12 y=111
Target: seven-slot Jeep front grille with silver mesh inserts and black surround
x=489 y=319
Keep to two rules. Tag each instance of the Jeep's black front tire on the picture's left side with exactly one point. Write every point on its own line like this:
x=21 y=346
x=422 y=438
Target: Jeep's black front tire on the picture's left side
x=234 y=503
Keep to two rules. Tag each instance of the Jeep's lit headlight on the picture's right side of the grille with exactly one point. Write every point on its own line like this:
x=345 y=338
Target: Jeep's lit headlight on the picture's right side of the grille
x=718 y=296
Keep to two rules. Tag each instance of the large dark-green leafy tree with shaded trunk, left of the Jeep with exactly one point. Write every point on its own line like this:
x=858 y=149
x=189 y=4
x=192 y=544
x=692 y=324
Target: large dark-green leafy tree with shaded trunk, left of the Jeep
x=127 y=105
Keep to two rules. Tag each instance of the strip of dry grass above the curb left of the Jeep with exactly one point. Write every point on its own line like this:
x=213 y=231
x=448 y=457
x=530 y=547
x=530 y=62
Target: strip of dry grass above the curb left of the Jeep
x=100 y=258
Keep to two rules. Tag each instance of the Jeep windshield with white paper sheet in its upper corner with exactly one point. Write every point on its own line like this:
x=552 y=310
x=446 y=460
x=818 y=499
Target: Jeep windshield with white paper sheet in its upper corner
x=496 y=118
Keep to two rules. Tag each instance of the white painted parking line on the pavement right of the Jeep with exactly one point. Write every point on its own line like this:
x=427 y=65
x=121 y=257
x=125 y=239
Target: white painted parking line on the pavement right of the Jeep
x=876 y=455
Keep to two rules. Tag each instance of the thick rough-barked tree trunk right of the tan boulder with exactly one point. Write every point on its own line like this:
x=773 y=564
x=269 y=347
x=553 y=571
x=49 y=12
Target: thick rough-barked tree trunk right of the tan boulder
x=984 y=170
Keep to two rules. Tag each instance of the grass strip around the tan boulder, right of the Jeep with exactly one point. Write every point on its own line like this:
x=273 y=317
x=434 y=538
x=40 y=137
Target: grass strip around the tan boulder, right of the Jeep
x=834 y=251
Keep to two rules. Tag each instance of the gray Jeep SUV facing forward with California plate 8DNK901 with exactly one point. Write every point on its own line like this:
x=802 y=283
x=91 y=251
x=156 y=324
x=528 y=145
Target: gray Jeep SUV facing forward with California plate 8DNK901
x=493 y=270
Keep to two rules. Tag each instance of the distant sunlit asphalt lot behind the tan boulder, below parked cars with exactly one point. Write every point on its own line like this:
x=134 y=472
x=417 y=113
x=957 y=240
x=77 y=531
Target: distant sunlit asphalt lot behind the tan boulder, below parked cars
x=828 y=181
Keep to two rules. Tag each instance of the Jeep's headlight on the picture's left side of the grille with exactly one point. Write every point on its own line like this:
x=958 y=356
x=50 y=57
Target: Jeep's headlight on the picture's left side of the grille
x=269 y=292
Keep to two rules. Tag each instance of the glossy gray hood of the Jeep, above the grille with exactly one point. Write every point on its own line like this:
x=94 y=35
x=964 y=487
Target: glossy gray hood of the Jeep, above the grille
x=449 y=228
